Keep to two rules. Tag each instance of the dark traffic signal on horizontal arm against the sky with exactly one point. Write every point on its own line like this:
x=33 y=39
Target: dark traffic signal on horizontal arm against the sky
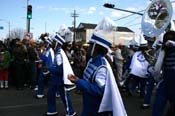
x=112 y=6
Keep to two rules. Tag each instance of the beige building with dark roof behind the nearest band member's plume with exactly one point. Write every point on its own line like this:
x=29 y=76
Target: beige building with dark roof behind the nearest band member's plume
x=121 y=35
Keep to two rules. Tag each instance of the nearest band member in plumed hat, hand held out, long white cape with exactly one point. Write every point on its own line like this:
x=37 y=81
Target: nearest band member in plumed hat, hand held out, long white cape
x=101 y=96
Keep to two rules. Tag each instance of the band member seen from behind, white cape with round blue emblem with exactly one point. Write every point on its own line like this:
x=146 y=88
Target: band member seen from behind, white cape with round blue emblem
x=138 y=67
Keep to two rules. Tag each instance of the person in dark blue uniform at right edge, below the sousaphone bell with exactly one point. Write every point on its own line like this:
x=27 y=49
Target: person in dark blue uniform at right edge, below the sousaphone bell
x=165 y=90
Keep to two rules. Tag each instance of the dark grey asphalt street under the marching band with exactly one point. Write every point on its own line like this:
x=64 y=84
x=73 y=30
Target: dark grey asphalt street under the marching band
x=23 y=103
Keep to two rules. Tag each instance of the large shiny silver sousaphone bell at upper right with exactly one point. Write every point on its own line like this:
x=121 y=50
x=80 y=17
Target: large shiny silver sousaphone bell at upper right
x=156 y=18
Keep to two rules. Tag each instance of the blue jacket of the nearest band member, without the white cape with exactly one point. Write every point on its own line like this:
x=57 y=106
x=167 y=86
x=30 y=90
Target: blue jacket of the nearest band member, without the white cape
x=93 y=83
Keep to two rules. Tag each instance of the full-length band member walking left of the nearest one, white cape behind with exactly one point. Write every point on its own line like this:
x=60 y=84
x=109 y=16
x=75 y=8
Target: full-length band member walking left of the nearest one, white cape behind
x=59 y=71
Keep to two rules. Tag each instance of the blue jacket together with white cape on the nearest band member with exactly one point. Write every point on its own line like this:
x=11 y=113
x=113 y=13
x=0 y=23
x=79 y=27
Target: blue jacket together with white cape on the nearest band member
x=100 y=91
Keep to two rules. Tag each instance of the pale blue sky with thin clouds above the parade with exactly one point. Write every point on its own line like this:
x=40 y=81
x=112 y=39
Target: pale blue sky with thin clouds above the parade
x=49 y=15
